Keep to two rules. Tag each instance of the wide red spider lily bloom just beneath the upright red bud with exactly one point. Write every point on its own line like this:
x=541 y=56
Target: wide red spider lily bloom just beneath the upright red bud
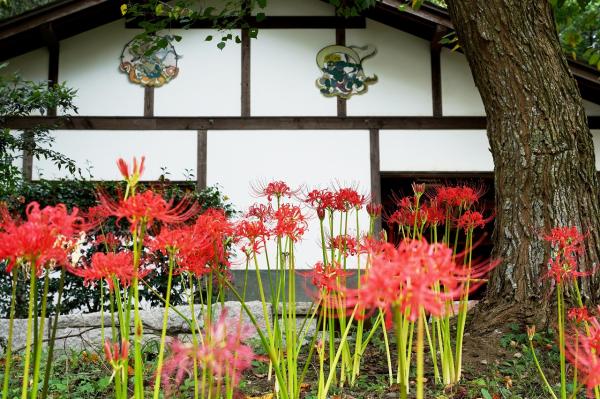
x=148 y=207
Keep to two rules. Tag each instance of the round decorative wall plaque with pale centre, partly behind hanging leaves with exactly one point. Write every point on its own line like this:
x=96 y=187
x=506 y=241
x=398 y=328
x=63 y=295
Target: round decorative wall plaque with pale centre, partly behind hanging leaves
x=149 y=64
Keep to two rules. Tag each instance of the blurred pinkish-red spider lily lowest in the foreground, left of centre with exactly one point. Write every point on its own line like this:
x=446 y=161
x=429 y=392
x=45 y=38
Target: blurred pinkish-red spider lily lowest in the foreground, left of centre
x=221 y=353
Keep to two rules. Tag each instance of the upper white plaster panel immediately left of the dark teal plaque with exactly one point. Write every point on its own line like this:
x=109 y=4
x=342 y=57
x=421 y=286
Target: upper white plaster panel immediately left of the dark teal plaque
x=284 y=72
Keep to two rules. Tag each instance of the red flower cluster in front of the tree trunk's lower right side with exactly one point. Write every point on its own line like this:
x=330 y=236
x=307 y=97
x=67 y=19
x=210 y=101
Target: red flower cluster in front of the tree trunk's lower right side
x=567 y=243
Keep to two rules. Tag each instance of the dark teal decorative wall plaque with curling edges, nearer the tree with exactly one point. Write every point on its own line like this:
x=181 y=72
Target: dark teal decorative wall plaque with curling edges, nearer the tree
x=343 y=74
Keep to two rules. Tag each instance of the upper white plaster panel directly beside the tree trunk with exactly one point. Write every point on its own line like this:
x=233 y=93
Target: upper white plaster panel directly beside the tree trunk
x=459 y=93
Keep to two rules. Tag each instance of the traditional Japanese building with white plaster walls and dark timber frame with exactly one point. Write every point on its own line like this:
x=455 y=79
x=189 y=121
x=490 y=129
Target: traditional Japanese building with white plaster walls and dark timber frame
x=315 y=100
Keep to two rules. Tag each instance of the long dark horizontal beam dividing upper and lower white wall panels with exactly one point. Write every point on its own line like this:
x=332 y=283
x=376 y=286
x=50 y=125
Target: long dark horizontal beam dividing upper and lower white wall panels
x=251 y=123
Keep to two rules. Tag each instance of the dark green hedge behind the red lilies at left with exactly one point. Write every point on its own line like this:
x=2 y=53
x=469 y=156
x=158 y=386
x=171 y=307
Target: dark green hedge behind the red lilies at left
x=82 y=194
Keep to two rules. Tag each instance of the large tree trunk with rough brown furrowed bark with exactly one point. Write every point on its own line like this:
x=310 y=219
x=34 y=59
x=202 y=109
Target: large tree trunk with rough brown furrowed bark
x=542 y=148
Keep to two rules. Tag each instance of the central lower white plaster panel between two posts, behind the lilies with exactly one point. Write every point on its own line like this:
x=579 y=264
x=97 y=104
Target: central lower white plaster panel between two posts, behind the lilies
x=238 y=159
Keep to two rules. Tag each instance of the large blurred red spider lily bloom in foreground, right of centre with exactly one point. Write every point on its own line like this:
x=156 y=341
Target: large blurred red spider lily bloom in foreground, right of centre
x=408 y=277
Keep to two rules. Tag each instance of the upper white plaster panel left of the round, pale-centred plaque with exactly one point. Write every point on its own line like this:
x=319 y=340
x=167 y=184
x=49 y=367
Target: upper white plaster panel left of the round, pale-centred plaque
x=89 y=62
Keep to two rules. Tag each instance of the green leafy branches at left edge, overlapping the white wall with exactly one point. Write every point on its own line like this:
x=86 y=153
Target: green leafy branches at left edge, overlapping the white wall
x=19 y=97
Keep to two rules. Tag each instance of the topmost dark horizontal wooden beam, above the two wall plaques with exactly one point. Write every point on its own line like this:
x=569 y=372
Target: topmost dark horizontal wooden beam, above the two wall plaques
x=299 y=22
